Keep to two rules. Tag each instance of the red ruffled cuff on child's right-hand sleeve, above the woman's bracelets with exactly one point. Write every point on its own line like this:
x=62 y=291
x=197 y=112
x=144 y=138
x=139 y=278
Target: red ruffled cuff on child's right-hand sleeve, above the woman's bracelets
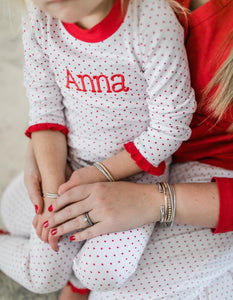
x=142 y=162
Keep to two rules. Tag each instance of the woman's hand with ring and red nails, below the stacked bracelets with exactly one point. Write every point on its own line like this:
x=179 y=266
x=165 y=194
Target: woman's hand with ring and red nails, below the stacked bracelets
x=112 y=207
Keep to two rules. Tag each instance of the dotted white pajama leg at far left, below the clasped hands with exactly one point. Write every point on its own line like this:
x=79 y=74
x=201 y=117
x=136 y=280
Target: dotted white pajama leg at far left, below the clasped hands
x=23 y=256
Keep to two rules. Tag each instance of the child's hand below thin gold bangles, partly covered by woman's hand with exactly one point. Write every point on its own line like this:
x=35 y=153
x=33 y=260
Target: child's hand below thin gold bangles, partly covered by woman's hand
x=82 y=176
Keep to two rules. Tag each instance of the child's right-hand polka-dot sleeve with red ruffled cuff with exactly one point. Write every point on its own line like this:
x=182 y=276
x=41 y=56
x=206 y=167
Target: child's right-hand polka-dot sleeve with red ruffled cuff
x=170 y=98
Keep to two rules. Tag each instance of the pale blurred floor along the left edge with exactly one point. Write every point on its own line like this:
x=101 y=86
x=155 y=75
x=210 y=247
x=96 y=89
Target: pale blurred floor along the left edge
x=13 y=122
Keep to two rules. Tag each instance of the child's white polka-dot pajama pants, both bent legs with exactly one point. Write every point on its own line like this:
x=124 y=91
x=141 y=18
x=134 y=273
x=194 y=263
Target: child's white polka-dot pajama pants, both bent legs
x=102 y=263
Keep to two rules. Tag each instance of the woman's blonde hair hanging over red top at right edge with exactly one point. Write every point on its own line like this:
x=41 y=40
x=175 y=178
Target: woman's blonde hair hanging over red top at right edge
x=222 y=84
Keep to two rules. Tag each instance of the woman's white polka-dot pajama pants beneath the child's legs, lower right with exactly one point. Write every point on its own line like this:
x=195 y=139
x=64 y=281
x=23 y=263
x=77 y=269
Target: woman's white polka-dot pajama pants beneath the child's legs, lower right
x=183 y=262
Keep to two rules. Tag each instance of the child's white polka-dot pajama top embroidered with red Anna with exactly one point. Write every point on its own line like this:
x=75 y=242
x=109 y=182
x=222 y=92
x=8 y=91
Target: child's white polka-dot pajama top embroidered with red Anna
x=133 y=86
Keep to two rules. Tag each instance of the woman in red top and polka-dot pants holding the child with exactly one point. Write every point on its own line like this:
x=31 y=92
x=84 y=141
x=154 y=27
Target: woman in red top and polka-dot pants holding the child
x=185 y=262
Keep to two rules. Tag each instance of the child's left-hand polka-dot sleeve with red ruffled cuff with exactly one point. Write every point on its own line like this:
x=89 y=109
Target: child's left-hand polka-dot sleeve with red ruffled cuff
x=46 y=110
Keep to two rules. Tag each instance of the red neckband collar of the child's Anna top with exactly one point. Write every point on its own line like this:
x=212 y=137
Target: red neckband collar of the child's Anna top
x=103 y=30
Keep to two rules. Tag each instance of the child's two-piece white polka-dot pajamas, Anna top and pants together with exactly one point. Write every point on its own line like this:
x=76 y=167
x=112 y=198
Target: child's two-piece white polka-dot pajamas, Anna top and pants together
x=129 y=87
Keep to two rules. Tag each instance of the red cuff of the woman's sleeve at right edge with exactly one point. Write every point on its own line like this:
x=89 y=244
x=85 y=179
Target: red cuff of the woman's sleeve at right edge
x=225 y=219
